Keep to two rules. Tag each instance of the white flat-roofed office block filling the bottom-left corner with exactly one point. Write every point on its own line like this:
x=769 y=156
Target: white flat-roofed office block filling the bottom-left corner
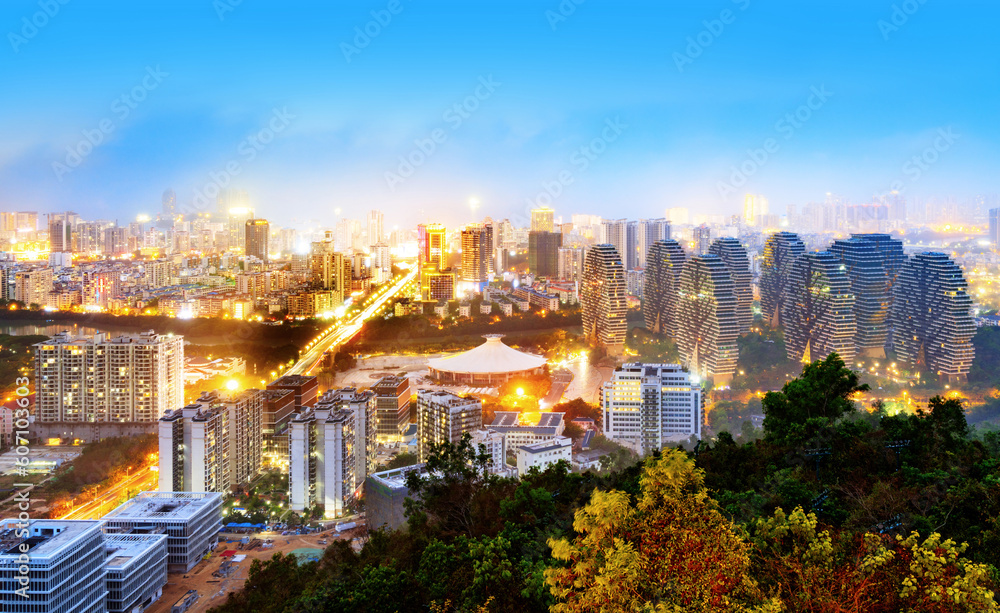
x=65 y=561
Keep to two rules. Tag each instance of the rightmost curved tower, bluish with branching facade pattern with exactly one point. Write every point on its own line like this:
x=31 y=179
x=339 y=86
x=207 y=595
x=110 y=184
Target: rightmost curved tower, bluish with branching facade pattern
x=932 y=316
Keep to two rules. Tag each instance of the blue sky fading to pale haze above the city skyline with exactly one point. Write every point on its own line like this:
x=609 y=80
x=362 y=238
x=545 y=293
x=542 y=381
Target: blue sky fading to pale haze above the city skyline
x=561 y=73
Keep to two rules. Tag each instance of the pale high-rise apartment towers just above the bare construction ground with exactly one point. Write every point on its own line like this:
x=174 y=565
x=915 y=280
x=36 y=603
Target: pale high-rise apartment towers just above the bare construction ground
x=331 y=451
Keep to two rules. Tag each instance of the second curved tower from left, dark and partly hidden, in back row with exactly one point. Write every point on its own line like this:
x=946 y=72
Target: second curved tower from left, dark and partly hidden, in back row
x=659 y=293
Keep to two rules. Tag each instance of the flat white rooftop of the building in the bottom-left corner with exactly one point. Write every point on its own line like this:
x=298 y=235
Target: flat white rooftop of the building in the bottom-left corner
x=46 y=538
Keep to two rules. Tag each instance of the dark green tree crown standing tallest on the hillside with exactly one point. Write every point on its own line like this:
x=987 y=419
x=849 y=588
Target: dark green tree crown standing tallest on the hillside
x=819 y=396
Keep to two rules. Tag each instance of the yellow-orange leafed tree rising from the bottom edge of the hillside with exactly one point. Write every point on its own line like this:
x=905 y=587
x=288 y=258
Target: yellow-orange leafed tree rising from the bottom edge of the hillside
x=672 y=551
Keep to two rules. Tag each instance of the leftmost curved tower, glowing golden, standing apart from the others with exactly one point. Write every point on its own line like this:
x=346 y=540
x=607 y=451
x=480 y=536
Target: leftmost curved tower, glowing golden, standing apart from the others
x=602 y=293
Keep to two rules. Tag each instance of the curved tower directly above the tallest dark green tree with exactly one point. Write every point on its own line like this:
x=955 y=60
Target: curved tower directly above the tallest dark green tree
x=818 y=312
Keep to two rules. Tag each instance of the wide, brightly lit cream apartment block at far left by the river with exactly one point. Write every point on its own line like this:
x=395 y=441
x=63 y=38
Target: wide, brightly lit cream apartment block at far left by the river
x=125 y=379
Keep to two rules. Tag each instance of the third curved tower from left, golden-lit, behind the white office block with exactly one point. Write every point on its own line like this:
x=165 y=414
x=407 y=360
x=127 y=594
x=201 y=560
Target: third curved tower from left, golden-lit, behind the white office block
x=706 y=325
